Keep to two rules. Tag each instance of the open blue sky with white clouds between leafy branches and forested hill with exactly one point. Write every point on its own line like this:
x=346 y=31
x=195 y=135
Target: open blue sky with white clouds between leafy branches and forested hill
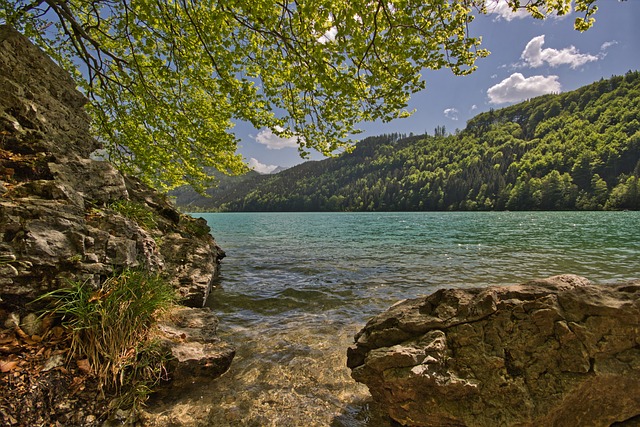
x=528 y=58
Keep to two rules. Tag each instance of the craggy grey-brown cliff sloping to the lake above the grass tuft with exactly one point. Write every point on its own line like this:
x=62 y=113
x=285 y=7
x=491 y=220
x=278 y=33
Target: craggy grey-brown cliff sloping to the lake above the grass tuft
x=64 y=216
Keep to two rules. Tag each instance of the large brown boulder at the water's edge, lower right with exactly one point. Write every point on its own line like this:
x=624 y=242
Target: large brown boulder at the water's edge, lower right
x=559 y=351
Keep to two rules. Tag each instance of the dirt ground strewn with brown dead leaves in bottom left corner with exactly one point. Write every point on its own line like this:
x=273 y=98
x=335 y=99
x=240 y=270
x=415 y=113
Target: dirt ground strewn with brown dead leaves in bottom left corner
x=40 y=385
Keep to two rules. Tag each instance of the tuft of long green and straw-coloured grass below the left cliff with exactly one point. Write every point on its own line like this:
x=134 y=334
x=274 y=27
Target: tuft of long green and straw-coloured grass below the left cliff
x=110 y=327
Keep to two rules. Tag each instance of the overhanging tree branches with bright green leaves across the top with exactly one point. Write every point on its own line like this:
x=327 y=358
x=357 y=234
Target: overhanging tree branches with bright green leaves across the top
x=167 y=80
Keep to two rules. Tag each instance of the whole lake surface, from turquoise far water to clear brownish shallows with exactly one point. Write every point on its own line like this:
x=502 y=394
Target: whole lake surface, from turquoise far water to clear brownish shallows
x=295 y=287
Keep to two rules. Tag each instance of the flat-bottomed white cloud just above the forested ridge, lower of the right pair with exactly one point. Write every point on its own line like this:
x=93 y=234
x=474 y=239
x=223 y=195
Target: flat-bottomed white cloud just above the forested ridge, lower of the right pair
x=516 y=88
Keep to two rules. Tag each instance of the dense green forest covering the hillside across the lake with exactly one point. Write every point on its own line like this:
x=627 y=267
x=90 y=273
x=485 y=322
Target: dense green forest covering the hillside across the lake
x=576 y=150
